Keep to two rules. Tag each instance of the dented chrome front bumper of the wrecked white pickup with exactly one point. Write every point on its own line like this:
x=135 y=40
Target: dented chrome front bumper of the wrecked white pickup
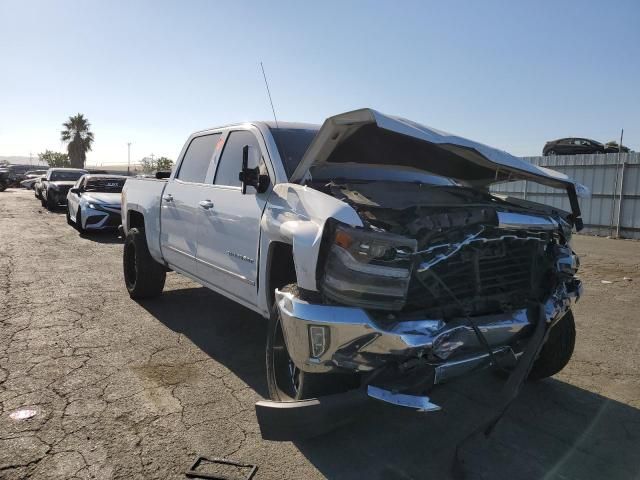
x=356 y=341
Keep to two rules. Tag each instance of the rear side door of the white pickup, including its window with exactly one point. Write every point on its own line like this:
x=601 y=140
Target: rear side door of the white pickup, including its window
x=180 y=211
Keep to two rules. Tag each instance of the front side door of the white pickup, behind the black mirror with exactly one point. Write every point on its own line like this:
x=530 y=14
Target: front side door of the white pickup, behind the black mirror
x=229 y=225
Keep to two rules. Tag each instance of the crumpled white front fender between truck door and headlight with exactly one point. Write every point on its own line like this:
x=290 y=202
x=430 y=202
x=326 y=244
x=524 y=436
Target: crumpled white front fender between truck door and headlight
x=296 y=215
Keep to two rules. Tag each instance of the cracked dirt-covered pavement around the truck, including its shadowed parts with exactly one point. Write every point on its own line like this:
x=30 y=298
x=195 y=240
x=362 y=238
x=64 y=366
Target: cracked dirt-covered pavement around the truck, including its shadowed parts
x=120 y=389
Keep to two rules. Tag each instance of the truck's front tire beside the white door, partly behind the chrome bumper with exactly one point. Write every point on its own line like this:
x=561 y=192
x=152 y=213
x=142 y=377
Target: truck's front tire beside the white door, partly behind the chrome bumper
x=285 y=381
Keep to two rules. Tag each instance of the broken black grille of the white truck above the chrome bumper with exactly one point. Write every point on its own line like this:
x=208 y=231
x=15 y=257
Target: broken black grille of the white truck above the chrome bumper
x=485 y=277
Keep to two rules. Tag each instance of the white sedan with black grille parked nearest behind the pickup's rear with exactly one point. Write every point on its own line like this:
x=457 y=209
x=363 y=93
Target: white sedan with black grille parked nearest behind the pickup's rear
x=93 y=203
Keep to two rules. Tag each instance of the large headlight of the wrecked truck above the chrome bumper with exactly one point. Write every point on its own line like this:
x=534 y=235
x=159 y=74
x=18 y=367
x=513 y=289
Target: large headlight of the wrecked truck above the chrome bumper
x=368 y=269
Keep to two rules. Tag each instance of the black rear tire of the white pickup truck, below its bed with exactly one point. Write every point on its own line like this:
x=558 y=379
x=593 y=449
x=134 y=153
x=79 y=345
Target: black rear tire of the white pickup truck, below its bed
x=143 y=276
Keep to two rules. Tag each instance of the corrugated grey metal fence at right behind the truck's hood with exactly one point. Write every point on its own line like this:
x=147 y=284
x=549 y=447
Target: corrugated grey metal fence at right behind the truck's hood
x=614 y=206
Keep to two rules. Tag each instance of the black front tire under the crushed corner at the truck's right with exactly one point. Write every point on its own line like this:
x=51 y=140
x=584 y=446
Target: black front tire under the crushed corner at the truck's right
x=557 y=350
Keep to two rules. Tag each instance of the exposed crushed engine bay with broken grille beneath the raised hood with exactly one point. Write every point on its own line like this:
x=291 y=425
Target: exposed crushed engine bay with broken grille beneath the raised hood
x=467 y=261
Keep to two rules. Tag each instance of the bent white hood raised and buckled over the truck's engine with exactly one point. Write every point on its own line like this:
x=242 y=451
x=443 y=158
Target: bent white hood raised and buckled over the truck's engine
x=368 y=137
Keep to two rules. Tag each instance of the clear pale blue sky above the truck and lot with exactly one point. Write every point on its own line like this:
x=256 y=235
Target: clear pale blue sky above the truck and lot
x=509 y=74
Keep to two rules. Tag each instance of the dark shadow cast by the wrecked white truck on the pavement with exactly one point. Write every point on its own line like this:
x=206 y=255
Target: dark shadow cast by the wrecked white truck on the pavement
x=553 y=430
